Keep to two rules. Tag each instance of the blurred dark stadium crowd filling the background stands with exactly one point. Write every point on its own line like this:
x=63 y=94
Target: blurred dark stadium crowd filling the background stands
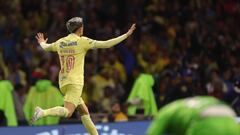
x=190 y=47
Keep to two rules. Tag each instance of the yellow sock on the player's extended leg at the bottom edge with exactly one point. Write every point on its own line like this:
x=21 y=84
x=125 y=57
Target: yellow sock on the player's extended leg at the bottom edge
x=88 y=124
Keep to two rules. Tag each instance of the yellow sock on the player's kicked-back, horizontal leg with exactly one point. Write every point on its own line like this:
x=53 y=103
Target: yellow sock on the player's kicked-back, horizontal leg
x=56 y=111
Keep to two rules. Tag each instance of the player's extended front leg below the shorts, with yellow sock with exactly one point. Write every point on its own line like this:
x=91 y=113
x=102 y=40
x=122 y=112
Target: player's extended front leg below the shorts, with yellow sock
x=86 y=119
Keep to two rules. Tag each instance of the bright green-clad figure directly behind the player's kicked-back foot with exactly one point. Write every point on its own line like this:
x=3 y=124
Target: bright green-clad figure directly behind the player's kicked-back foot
x=43 y=90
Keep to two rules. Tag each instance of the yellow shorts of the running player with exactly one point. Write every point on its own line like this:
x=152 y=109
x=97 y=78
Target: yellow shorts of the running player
x=73 y=94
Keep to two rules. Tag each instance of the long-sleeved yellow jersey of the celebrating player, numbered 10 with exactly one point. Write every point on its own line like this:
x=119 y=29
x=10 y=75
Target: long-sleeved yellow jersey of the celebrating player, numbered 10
x=72 y=50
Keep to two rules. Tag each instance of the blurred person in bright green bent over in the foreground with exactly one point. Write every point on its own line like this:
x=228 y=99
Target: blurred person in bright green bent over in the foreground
x=202 y=115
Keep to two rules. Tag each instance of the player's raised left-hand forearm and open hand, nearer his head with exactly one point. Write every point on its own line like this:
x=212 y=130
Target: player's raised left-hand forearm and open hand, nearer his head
x=43 y=42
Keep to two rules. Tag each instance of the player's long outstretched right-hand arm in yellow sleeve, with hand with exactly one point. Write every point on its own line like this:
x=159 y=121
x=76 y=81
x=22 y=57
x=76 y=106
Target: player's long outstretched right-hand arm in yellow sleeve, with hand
x=114 y=41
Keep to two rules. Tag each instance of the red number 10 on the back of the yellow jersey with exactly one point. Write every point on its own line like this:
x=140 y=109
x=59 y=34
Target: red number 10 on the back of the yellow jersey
x=69 y=61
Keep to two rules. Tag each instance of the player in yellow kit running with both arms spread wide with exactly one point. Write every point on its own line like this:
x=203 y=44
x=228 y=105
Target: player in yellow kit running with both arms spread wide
x=72 y=50
